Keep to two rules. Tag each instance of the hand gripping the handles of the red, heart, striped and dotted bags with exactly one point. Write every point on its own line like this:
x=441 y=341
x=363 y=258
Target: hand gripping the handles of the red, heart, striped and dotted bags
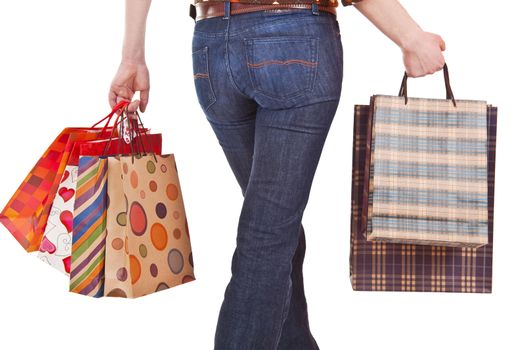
x=131 y=77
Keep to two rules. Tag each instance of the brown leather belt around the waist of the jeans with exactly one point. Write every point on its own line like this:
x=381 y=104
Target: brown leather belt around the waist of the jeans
x=208 y=10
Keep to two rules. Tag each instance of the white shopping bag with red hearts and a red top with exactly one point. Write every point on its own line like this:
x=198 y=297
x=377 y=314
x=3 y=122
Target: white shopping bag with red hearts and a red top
x=55 y=247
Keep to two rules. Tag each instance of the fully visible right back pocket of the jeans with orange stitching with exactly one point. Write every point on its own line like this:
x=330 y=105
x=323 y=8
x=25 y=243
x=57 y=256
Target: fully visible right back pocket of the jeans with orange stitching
x=282 y=67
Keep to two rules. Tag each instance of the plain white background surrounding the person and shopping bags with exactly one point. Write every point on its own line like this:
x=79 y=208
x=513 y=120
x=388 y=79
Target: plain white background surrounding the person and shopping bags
x=57 y=59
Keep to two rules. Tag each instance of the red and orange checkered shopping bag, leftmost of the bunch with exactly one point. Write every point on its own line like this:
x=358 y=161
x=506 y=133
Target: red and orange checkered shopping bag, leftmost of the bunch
x=26 y=213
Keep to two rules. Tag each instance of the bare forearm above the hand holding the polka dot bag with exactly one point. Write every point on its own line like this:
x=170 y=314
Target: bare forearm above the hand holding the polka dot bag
x=135 y=30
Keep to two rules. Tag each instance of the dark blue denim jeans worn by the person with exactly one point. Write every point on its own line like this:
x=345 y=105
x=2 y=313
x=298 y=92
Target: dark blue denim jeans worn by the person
x=269 y=83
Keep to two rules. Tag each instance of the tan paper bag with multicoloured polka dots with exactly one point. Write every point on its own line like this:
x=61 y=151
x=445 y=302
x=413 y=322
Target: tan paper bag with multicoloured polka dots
x=147 y=243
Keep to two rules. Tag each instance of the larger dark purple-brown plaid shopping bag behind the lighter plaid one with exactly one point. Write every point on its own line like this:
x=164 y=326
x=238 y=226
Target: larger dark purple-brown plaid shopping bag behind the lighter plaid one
x=383 y=266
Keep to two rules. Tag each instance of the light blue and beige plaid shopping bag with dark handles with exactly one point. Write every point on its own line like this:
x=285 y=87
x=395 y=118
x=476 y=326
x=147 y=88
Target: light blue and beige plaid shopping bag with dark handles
x=426 y=170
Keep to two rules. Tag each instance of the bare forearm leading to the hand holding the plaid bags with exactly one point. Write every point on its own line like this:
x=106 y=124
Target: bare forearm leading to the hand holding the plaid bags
x=391 y=18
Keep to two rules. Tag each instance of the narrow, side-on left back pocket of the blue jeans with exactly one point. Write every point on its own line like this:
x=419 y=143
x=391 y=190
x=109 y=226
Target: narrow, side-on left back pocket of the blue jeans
x=201 y=77
